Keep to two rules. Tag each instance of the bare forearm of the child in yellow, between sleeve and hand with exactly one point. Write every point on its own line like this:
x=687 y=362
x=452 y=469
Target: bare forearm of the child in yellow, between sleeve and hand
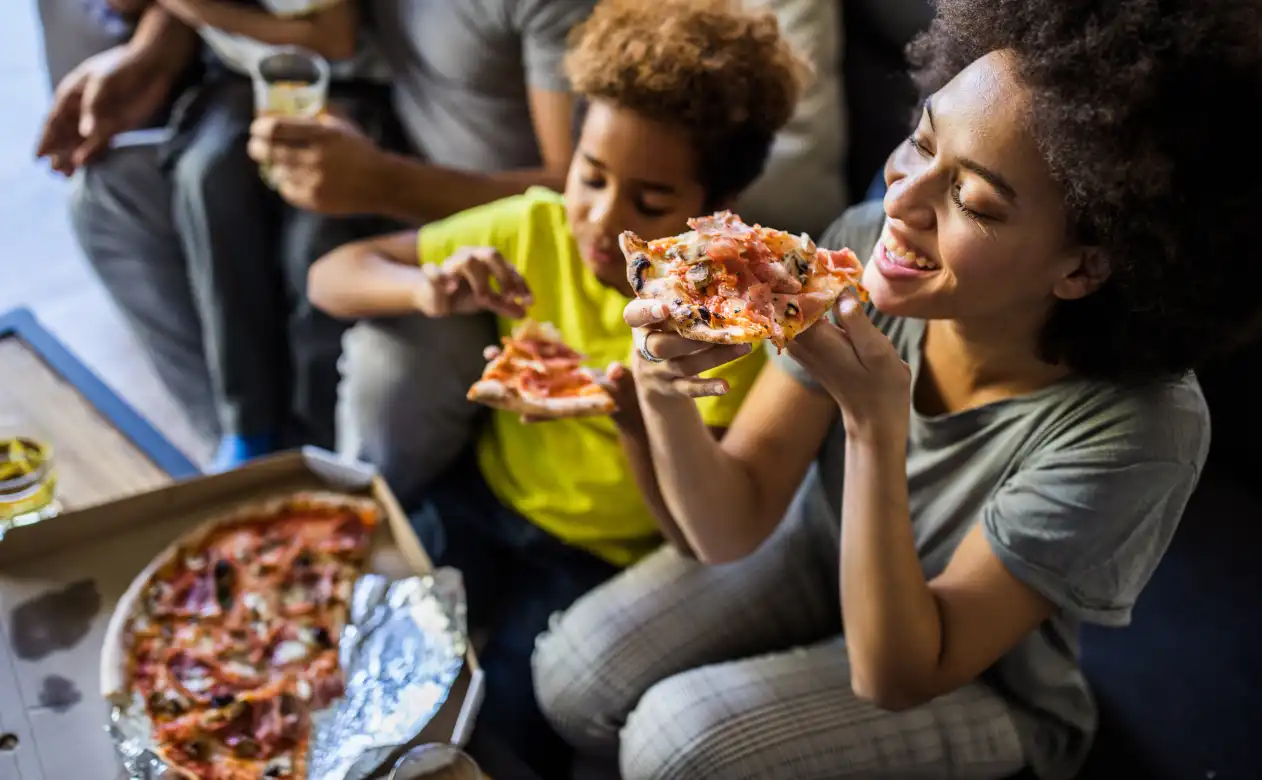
x=379 y=277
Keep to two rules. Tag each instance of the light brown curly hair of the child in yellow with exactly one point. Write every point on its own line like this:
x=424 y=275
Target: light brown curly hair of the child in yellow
x=725 y=75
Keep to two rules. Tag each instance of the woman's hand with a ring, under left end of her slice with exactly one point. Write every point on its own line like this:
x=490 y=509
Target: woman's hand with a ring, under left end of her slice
x=668 y=364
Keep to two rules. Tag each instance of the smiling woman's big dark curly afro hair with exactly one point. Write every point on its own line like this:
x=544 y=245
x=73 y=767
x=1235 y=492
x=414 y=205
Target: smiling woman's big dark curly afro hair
x=1139 y=109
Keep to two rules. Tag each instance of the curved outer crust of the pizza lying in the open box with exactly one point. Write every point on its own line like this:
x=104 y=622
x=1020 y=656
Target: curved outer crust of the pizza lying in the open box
x=115 y=670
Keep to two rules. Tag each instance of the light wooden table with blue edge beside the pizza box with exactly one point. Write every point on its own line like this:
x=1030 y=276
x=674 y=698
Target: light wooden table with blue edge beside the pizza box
x=103 y=449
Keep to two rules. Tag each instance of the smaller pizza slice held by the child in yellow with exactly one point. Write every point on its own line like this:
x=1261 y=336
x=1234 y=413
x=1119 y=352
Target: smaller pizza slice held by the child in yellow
x=538 y=375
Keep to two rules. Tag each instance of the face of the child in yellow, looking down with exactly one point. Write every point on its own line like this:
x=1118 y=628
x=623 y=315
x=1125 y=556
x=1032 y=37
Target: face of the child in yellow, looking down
x=629 y=174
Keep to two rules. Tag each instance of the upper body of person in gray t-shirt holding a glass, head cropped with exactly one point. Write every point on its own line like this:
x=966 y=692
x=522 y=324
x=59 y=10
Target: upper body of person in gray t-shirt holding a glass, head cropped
x=479 y=89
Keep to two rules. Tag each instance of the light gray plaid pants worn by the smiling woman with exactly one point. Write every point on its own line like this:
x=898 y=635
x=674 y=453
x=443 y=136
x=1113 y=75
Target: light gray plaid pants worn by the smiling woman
x=682 y=671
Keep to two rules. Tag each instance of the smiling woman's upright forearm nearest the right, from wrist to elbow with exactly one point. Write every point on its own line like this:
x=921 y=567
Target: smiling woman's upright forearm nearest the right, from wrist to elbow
x=894 y=633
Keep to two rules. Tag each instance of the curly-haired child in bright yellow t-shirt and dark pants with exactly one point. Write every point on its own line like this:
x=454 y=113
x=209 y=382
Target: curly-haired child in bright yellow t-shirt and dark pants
x=683 y=102
